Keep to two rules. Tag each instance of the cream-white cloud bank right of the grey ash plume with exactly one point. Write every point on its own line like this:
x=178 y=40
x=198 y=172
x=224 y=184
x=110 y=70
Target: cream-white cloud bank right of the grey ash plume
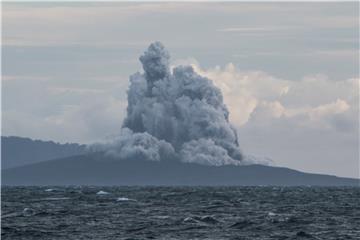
x=257 y=96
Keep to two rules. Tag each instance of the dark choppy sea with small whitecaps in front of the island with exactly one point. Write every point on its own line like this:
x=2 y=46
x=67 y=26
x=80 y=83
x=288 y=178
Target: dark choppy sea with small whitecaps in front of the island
x=180 y=213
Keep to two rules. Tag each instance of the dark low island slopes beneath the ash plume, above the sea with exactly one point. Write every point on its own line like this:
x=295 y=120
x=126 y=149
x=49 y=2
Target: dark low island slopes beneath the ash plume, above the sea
x=97 y=169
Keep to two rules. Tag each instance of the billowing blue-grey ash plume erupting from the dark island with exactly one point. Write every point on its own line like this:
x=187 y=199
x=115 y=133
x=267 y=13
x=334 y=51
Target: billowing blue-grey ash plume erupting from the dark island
x=174 y=115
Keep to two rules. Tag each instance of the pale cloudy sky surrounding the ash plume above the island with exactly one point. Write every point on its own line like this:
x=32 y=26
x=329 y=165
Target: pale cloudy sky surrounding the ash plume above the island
x=289 y=72
